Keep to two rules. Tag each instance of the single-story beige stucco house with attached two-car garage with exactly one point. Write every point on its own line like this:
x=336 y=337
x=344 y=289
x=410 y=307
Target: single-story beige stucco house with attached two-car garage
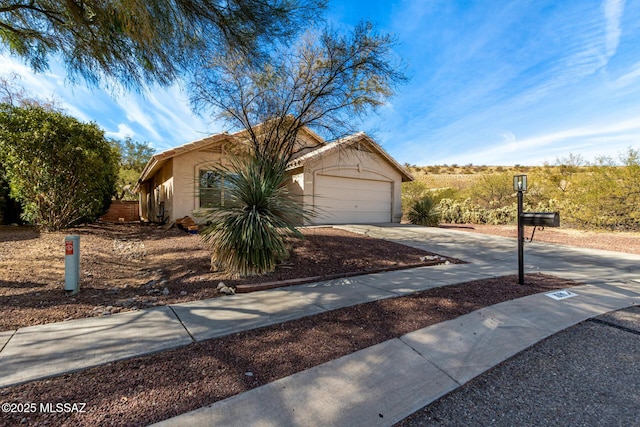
x=350 y=180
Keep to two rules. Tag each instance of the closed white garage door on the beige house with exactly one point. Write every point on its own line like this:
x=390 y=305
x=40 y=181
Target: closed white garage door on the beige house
x=340 y=200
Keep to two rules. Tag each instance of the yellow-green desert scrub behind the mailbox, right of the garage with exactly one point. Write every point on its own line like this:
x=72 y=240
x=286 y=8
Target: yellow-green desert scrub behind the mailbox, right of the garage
x=604 y=194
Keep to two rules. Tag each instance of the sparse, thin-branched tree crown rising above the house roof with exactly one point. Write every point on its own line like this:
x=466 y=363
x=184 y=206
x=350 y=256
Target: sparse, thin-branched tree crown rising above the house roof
x=327 y=81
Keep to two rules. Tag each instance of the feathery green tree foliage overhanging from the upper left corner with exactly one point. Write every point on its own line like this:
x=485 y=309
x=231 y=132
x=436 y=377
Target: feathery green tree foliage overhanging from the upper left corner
x=132 y=42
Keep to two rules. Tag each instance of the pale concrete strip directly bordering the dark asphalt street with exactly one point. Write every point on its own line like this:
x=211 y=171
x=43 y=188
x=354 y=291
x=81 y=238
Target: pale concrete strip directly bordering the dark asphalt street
x=383 y=384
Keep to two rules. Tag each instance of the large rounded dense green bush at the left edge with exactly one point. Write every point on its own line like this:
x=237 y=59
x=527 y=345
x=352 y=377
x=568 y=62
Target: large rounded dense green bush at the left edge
x=61 y=170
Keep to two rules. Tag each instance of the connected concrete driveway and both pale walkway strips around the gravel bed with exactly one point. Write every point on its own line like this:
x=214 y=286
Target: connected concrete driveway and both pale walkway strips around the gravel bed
x=374 y=386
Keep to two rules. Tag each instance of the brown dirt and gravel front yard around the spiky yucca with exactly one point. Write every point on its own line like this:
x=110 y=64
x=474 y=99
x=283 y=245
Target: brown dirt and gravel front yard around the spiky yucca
x=131 y=267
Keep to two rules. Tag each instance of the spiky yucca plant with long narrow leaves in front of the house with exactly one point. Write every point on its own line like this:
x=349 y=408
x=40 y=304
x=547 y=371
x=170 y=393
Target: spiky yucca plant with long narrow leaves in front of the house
x=248 y=235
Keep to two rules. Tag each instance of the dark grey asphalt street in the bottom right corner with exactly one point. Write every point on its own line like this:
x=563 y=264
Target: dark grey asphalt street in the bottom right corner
x=586 y=375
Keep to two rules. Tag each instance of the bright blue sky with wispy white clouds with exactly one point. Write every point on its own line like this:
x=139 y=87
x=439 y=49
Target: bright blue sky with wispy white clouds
x=493 y=82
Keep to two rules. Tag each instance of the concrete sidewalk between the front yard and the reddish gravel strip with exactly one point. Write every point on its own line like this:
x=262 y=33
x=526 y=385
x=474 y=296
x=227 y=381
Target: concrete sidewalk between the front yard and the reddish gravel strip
x=42 y=351
